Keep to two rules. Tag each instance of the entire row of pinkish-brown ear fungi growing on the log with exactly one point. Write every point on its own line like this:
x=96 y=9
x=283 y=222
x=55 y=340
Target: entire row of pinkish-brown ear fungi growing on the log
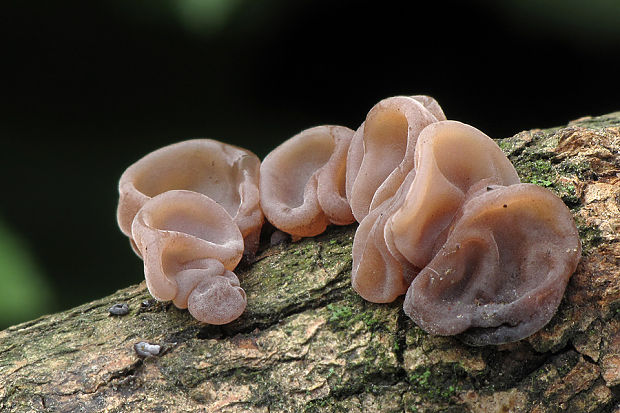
x=443 y=219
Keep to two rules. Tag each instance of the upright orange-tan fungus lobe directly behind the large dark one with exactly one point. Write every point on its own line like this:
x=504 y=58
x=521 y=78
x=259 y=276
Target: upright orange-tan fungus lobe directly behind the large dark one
x=450 y=158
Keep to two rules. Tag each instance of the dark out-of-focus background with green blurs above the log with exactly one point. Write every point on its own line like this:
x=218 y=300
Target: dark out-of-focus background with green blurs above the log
x=89 y=87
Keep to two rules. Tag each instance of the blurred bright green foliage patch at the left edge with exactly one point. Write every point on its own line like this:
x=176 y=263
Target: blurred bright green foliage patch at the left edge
x=24 y=292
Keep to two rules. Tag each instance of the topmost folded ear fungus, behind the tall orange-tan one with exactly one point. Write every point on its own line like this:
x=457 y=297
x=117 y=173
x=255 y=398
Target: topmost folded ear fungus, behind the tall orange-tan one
x=382 y=149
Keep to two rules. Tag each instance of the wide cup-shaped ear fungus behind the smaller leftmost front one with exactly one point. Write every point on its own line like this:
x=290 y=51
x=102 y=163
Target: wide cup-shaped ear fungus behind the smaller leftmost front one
x=225 y=173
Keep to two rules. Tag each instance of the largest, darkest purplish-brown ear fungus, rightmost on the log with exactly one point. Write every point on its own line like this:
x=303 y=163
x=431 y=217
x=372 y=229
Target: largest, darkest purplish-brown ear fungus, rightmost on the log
x=502 y=272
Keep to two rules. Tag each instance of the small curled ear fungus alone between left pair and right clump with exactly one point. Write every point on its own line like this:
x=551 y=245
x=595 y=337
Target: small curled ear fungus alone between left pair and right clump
x=303 y=181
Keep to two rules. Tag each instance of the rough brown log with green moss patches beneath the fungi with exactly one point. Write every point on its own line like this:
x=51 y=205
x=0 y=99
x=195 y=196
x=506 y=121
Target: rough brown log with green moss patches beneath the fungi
x=308 y=343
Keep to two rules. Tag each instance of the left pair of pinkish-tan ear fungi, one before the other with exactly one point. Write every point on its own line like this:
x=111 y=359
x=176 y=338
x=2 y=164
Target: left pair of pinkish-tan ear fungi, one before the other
x=190 y=210
